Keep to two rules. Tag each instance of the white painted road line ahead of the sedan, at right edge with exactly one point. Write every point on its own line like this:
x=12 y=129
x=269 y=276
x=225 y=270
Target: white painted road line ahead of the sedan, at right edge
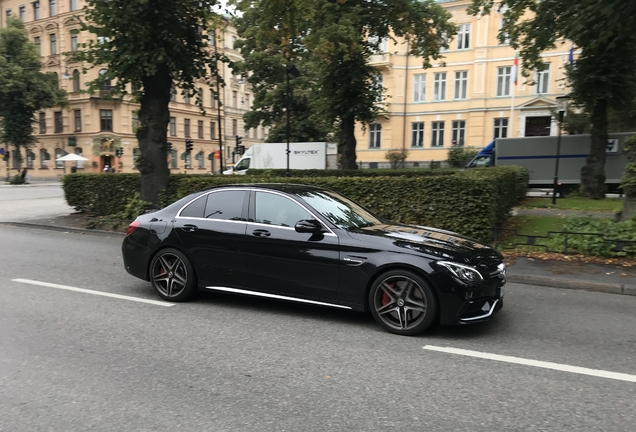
x=535 y=363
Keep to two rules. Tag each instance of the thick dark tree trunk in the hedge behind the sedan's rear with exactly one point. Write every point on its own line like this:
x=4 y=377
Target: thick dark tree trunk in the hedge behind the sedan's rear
x=152 y=135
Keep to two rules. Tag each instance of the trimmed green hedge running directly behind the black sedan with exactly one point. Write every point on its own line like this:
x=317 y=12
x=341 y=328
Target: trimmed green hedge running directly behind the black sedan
x=470 y=202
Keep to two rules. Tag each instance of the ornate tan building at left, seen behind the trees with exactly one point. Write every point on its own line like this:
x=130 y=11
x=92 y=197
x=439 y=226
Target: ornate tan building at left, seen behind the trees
x=95 y=126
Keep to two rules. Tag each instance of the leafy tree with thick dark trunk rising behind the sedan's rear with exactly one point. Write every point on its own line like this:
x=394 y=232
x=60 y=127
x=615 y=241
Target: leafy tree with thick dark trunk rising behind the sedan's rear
x=151 y=46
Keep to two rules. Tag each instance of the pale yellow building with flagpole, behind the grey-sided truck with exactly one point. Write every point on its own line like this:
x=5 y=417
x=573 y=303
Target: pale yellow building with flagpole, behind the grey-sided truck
x=467 y=101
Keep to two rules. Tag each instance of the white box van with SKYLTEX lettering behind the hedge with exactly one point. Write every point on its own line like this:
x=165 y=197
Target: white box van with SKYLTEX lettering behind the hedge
x=305 y=155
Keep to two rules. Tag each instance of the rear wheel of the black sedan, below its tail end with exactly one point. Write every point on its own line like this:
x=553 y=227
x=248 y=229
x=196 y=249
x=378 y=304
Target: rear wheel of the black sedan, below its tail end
x=172 y=276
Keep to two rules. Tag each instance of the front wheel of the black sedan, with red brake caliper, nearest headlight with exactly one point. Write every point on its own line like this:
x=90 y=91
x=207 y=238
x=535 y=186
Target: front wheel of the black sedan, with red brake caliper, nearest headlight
x=402 y=302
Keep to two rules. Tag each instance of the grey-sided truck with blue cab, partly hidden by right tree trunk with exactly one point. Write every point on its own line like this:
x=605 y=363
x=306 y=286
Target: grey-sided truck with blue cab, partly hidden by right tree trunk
x=539 y=154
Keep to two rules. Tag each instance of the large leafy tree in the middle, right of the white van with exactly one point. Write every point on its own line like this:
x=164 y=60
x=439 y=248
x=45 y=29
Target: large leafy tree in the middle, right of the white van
x=332 y=41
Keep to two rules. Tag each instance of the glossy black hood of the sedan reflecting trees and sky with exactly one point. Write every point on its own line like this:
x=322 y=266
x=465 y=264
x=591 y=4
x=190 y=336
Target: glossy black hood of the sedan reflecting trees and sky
x=427 y=240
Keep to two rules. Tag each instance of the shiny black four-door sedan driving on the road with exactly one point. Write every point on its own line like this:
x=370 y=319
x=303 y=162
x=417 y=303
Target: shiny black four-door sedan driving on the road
x=311 y=245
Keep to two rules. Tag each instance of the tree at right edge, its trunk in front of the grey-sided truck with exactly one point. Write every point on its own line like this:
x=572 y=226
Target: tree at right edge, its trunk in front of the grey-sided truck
x=603 y=75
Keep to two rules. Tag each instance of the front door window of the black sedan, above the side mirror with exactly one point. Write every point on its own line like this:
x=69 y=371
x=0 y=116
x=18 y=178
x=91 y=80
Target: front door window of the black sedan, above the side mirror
x=278 y=210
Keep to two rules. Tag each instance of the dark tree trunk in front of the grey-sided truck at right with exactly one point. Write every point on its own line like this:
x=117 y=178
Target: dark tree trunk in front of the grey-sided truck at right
x=593 y=172
